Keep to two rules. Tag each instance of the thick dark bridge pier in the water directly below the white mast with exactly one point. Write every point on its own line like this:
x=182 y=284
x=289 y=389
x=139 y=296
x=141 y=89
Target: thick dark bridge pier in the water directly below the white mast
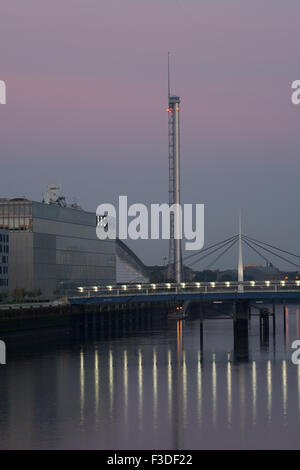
x=240 y=331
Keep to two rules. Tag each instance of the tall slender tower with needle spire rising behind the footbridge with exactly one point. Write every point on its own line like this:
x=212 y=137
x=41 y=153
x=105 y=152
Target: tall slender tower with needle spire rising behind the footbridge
x=175 y=254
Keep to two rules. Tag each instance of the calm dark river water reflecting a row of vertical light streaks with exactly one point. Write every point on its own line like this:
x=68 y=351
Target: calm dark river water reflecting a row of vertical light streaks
x=153 y=388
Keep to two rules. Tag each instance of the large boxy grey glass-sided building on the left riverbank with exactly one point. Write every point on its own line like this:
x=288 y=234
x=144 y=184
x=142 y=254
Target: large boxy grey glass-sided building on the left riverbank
x=54 y=249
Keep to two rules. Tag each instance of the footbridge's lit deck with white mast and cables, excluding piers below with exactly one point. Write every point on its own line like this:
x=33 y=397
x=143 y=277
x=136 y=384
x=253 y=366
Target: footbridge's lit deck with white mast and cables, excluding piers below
x=251 y=291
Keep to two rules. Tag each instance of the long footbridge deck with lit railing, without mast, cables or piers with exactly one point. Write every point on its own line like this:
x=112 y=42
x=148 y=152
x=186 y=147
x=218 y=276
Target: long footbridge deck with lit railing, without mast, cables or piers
x=255 y=291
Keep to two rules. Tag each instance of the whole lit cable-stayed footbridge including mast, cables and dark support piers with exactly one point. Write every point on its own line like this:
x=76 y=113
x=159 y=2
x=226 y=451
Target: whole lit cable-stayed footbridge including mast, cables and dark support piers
x=238 y=300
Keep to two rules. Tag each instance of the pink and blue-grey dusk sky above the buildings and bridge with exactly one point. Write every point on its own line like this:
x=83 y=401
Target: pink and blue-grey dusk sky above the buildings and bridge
x=87 y=97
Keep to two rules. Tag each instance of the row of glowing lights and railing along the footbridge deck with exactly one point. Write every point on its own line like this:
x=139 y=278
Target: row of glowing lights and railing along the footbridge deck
x=189 y=287
